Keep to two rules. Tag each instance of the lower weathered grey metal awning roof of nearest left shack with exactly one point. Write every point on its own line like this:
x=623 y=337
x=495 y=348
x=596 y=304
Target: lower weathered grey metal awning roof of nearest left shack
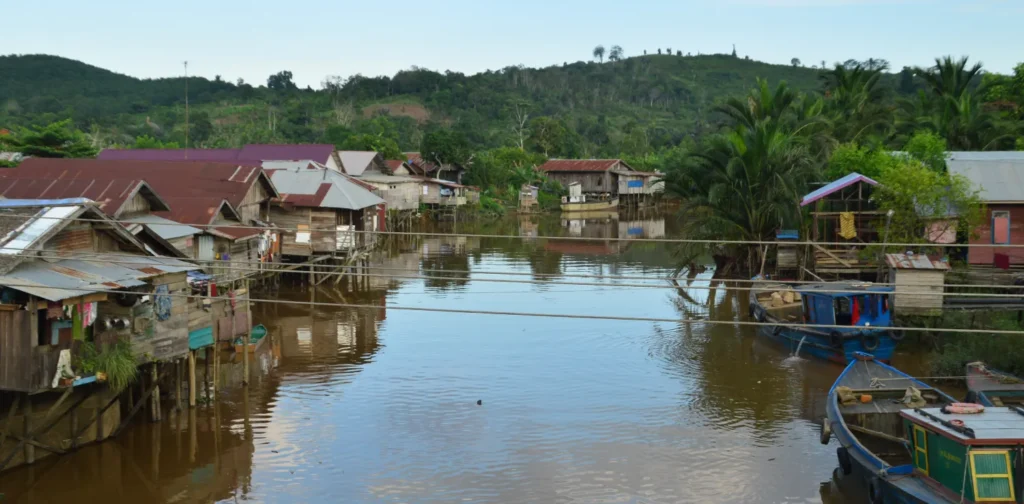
x=87 y=275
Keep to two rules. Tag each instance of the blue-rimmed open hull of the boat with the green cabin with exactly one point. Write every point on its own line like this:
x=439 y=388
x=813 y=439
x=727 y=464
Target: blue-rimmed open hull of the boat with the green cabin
x=874 y=437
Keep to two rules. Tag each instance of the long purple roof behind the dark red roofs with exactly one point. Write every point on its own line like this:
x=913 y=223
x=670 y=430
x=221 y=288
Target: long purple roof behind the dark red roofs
x=252 y=154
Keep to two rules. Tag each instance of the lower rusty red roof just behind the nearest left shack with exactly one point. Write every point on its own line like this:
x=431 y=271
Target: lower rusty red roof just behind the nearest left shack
x=110 y=194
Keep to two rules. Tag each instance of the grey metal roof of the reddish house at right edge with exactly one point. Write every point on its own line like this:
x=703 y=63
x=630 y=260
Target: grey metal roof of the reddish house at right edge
x=1000 y=176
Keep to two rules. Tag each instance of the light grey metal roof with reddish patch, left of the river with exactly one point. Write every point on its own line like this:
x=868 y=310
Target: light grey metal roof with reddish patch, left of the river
x=323 y=188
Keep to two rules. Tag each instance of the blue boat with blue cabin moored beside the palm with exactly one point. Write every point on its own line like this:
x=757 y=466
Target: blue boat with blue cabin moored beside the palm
x=863 y=311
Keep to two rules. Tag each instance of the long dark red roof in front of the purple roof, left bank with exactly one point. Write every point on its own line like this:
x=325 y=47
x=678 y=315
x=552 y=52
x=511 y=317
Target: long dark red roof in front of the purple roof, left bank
x=172 y=180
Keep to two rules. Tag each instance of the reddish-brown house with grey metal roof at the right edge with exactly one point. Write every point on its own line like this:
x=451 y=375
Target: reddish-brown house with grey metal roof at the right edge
x=1000 y=178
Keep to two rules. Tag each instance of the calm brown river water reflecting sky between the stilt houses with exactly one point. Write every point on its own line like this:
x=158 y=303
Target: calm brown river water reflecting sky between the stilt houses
x=380 y=406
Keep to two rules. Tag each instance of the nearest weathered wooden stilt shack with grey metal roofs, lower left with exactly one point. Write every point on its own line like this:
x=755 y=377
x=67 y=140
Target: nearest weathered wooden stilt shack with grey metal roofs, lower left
x=70 y=275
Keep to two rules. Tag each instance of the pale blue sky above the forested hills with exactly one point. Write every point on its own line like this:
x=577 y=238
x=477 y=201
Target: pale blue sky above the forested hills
x=318 y=38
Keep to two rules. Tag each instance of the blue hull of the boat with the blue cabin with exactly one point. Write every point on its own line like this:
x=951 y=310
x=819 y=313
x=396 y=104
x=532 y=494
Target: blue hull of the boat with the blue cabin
x=820 y=346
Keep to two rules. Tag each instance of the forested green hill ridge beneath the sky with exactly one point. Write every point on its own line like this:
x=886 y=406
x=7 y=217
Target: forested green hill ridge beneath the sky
x=654 y=100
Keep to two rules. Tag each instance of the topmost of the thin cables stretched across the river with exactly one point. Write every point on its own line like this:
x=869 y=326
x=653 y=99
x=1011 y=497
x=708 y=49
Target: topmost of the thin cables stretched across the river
x=517 y=237
